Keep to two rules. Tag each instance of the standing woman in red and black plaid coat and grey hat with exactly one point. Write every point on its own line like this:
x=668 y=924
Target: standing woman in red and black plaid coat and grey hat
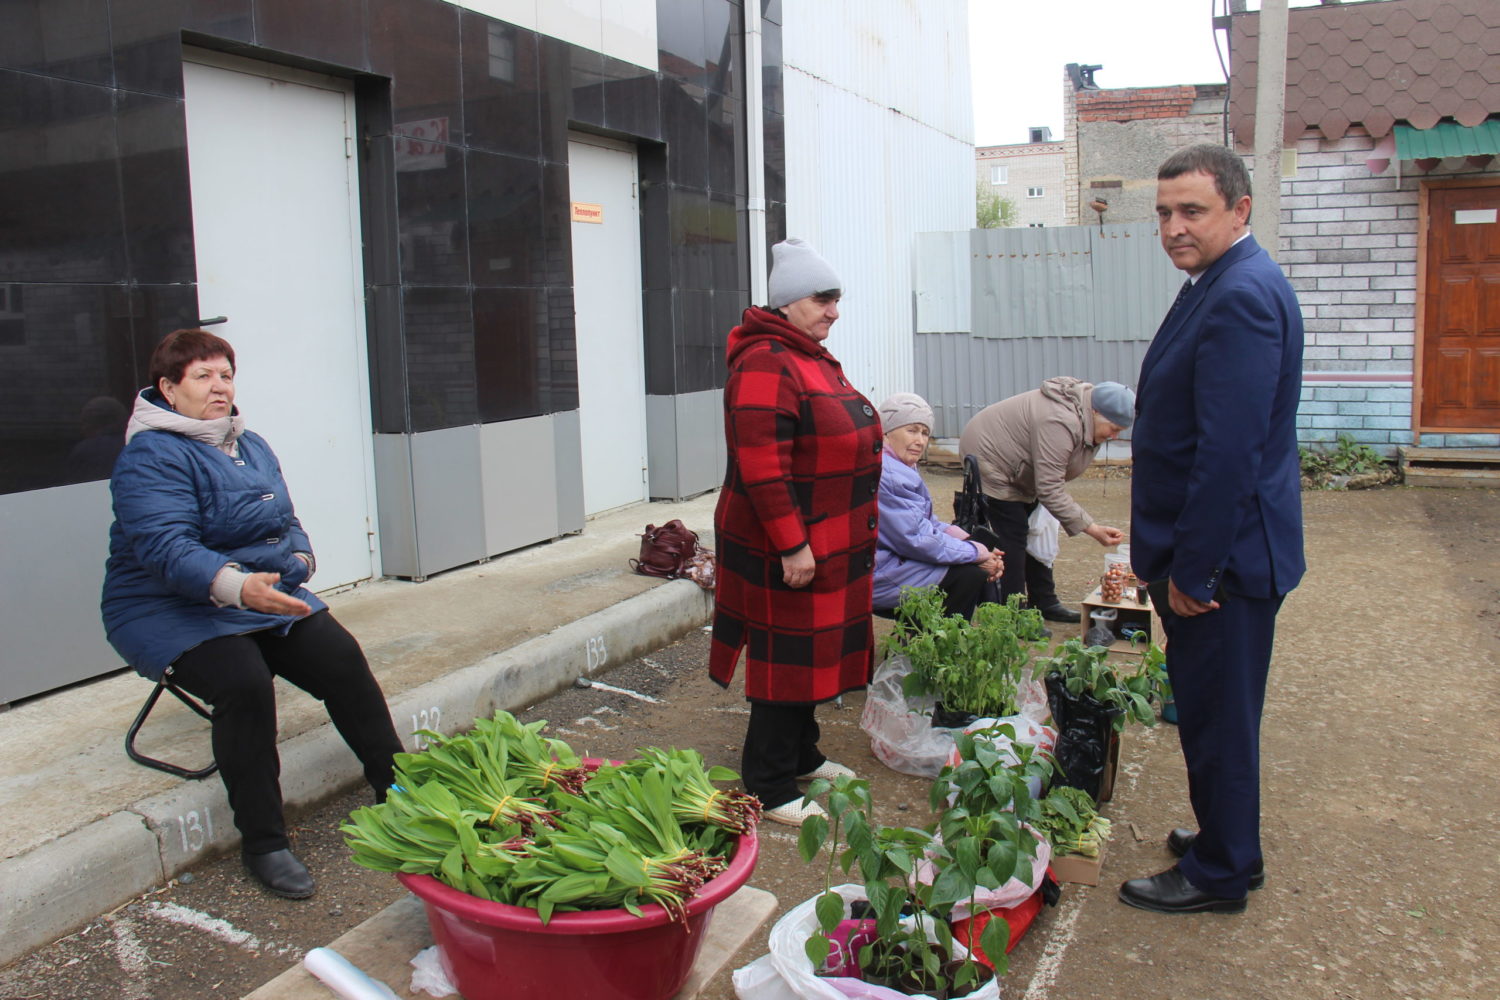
x=796 y=530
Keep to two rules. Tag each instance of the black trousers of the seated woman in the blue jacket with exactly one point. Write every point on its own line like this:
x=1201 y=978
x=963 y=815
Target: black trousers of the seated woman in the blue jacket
x=233 y=674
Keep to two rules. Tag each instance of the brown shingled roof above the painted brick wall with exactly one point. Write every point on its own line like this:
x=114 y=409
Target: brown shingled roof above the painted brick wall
x=1375 y=65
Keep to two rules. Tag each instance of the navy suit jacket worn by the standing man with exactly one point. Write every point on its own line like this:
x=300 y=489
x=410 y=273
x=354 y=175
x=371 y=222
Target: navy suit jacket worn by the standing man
x=1216 y=491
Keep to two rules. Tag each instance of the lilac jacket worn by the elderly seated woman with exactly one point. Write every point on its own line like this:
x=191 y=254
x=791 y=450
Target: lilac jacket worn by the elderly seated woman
x=914 y=548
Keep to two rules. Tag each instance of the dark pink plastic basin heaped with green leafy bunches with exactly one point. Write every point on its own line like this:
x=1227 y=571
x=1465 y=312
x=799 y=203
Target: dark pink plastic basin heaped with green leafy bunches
x=545 y=875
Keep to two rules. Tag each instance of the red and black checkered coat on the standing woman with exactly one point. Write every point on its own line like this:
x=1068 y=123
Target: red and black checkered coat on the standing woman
x=805 y=469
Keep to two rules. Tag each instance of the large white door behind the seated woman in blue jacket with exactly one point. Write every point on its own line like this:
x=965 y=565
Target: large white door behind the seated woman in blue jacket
x=277 y=233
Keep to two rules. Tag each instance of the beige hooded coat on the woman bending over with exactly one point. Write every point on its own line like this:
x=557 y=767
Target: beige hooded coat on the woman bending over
x=1031 y=445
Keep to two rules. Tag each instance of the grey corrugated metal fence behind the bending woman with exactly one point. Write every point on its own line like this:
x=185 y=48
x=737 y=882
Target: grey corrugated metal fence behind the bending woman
x=998 y=311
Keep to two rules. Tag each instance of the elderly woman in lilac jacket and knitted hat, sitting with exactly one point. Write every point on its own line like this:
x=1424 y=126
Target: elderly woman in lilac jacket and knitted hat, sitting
x=914 y=548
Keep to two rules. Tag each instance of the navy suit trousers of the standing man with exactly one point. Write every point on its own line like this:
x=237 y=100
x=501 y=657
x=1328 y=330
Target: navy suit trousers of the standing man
x=1219 y=665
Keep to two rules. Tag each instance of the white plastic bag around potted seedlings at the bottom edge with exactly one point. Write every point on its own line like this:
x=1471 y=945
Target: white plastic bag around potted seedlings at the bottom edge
x=796 y=972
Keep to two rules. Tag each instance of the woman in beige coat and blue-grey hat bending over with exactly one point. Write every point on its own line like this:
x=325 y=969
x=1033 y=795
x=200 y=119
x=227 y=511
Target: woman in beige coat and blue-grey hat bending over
x=1028 y=449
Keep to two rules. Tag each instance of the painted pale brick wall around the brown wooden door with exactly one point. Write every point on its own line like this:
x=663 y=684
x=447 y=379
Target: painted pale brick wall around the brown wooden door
x=1349 y=245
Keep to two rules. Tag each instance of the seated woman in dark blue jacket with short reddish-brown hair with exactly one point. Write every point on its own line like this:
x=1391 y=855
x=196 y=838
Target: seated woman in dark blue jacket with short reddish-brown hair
x=205 y=584
